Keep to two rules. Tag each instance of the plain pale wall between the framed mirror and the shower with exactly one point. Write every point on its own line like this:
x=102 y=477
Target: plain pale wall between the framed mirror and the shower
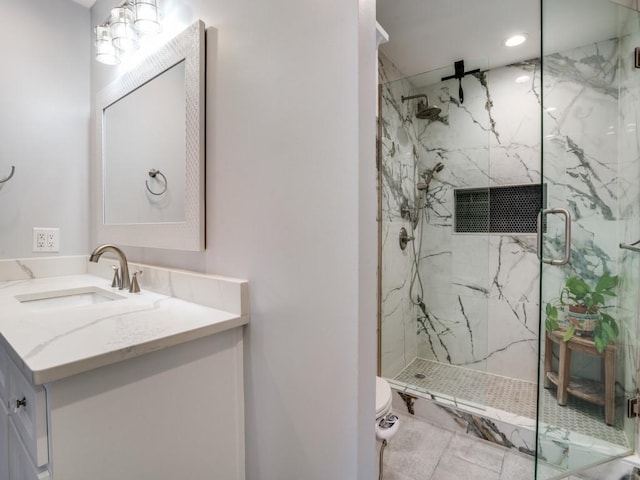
x=285 y=209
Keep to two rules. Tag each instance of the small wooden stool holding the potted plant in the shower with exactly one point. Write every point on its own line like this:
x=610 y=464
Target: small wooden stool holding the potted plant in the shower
x=562 y=378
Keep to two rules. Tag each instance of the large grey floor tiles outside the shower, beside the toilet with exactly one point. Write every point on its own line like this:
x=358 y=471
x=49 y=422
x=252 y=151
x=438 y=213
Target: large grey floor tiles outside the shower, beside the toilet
x=421 y=451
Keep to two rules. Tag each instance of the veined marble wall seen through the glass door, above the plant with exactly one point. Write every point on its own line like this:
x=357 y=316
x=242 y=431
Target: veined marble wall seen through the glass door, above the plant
x=581 y=156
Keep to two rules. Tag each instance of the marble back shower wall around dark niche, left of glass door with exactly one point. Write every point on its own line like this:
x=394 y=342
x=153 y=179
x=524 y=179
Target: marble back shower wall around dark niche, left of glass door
x=481 y=290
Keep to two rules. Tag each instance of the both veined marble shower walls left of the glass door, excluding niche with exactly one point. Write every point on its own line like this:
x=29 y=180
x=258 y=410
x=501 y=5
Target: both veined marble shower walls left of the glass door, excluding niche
x=475 y=299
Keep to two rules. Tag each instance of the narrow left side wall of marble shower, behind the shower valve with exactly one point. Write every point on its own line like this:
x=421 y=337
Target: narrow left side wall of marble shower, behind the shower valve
x=399 y=163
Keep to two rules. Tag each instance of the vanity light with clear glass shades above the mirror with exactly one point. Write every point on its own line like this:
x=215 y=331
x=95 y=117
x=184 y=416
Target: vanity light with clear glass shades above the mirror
x=125 y=26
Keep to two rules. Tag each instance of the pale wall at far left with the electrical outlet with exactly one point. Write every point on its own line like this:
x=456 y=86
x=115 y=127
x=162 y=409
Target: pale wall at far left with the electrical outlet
x=44 y=124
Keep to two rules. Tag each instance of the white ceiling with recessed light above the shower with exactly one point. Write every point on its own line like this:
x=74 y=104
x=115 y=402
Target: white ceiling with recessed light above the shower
x=428 y=34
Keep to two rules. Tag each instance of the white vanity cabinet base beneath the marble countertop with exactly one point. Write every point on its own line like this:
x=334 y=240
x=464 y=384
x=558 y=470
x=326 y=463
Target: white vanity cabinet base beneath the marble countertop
x=172 y=413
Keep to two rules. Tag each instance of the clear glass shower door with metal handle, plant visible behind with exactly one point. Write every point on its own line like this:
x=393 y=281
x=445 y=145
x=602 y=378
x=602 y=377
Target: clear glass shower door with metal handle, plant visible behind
x=589 y=284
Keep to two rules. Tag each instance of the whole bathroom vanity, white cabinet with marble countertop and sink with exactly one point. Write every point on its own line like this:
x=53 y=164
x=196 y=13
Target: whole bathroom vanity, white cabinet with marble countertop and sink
x=98 y=383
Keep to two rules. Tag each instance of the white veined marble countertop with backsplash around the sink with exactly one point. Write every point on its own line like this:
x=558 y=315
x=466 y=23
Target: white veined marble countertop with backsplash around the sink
x=58 y=342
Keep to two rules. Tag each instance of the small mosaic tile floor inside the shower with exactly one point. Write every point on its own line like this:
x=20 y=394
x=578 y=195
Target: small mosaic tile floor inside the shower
x=509 y=395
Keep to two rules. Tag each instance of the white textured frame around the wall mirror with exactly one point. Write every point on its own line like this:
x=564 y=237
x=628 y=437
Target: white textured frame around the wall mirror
x=188 y=235
